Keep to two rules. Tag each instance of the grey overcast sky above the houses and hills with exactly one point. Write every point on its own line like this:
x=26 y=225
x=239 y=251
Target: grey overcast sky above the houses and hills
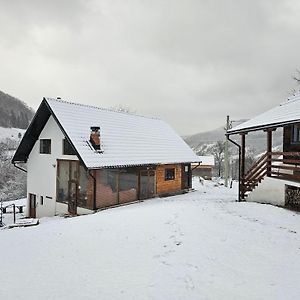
x=189 y=62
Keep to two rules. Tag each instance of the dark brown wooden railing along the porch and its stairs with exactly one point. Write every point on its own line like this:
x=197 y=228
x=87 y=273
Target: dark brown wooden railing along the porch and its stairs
x=282 y=165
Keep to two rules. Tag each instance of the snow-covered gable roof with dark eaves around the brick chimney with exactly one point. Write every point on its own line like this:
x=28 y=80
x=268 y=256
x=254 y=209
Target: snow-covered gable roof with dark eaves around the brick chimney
x=126 y=140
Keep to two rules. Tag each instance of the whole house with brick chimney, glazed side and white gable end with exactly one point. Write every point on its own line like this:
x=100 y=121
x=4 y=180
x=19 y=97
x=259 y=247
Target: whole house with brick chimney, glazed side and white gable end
x=82 y=158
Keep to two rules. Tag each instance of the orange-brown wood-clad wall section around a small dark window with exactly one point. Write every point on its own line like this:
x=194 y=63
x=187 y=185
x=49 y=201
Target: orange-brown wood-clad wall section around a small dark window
x=164 y=186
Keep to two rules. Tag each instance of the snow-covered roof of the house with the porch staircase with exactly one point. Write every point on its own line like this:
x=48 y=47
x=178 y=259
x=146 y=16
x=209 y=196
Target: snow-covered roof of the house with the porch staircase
x=285 y=113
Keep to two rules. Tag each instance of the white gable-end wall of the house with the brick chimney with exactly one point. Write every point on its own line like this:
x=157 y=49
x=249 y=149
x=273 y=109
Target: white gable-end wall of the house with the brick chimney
x=42 y=169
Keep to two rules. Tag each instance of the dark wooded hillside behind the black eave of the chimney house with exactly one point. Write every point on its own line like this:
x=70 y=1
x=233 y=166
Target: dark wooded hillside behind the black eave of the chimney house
x=14 y=112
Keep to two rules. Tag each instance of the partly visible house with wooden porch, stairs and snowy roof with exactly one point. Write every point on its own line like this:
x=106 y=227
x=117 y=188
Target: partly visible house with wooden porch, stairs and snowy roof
x=275 y=177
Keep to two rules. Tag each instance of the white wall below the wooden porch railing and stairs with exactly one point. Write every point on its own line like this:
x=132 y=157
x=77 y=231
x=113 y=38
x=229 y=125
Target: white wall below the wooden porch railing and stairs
x=271 y=191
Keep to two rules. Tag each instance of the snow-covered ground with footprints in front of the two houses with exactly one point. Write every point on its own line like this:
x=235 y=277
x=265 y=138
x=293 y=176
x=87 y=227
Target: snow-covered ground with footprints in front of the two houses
x=202 y=245
